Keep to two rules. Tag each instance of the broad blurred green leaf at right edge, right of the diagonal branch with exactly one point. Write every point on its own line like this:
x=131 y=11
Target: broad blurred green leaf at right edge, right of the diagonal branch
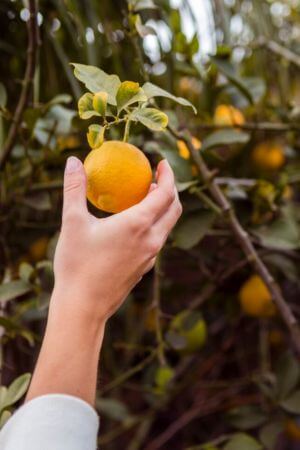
x=283 y=233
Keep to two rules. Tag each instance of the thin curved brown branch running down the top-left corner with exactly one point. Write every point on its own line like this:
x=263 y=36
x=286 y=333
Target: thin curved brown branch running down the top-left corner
x=33 y=42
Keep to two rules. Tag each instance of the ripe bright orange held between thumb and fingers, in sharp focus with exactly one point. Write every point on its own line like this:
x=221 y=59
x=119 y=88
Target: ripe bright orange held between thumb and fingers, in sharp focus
x=118 y=176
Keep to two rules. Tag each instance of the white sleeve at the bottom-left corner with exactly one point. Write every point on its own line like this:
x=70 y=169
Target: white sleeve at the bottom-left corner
x=52 y=422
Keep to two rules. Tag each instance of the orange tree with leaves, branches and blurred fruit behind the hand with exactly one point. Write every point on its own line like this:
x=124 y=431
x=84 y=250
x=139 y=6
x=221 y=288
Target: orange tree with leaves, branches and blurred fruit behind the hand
x=206 y=349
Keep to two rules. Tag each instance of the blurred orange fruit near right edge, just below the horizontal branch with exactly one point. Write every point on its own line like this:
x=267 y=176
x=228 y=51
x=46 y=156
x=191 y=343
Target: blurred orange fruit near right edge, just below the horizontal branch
x=268 y=156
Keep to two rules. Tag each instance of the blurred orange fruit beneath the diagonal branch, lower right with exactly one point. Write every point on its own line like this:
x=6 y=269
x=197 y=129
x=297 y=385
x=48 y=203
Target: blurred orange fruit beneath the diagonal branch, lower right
x=255 y=298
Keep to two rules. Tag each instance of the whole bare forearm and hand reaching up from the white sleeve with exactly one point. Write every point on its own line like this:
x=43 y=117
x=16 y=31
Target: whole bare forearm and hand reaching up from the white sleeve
x=97 y=263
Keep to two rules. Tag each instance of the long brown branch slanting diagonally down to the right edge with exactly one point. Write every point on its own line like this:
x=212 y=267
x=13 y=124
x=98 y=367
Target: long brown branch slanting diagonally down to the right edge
x=243 y=238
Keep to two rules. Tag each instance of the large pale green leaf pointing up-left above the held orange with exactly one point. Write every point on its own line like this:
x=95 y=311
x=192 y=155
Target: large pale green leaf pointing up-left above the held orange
x=96 y=80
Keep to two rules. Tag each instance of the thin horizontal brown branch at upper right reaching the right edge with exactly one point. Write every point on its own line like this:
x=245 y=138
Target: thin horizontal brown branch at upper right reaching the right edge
x=261 y=126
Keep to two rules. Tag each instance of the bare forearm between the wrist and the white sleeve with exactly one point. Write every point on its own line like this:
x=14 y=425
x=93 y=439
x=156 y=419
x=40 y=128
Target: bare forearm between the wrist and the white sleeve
x=69 y=355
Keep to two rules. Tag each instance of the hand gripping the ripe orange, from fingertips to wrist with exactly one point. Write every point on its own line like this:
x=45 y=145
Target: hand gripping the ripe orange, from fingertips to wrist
x=98 y=261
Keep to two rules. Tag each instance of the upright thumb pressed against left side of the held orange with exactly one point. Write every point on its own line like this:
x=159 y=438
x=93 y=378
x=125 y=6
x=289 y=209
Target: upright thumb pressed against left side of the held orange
x=74 y=187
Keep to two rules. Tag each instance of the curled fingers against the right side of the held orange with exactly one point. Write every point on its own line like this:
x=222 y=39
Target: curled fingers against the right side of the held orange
x=160 y=197
